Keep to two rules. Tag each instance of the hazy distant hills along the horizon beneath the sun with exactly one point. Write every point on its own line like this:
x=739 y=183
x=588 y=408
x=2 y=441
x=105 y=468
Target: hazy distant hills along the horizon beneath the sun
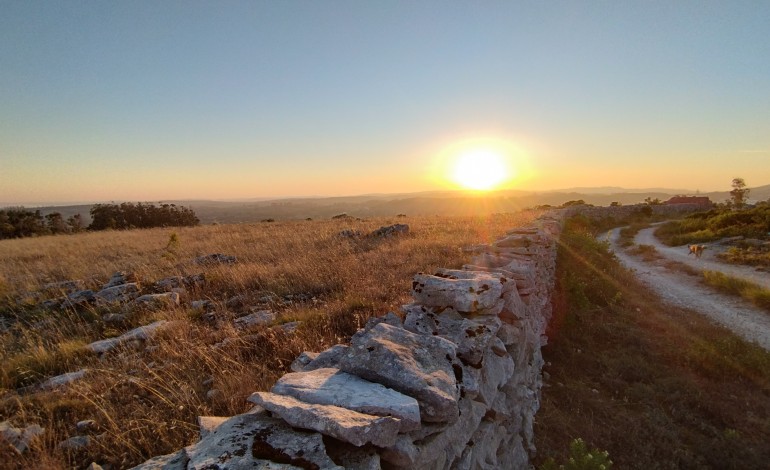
x=422 y=203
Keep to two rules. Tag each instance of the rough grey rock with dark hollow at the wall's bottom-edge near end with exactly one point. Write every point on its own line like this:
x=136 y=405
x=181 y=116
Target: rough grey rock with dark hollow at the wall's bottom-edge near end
x=255 y=441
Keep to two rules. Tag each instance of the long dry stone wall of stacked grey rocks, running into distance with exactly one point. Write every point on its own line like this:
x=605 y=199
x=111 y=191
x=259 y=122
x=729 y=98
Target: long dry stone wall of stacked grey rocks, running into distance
x=452 y=383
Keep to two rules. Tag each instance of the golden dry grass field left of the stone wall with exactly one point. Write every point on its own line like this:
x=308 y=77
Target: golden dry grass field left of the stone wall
x=145 y=400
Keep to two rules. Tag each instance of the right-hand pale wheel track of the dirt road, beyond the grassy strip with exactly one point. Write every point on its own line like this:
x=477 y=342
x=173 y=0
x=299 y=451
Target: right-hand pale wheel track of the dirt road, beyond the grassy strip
x=708 y=261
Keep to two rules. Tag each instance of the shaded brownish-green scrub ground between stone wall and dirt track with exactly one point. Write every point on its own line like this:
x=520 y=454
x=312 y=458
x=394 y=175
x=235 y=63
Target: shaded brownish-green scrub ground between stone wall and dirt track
x=654 y=385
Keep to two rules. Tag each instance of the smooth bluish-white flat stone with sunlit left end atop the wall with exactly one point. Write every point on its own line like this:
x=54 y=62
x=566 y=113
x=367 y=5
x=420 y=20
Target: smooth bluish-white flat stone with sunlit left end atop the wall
x=334 y=387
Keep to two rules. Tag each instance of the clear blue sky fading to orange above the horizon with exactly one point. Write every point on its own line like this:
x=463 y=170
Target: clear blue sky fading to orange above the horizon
x=148 y=100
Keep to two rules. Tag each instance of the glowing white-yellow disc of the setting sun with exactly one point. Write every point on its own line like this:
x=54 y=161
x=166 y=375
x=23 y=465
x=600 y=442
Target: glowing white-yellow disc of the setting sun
x=480 y=169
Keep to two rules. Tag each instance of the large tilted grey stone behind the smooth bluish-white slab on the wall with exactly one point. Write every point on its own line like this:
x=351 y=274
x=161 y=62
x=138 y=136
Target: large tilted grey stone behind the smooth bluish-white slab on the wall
x=415 y=365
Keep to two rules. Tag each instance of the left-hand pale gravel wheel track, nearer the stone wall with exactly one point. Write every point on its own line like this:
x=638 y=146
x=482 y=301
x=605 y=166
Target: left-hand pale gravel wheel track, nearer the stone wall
x=733 y=313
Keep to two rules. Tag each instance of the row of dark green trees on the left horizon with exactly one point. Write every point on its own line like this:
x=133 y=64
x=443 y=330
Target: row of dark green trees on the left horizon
x=19 y=222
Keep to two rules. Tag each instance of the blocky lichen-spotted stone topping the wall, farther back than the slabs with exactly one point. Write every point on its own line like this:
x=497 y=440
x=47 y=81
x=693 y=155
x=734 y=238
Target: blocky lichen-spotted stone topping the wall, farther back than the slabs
x=481 y=293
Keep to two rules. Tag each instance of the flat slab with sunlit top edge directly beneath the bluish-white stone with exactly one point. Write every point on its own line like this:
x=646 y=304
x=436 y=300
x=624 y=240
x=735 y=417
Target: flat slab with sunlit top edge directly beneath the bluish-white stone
x=346 y=425
